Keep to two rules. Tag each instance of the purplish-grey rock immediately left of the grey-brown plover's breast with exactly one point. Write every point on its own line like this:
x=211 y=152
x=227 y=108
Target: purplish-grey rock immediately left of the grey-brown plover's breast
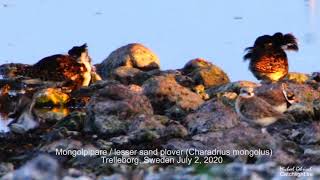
x=219 y=118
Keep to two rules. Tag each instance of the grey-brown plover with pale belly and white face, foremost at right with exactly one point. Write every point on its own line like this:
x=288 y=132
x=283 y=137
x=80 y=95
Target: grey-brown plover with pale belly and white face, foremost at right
x=255 y=110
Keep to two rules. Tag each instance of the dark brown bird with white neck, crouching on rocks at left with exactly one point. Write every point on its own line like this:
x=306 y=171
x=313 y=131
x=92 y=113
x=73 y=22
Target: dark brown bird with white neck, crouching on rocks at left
x=74 y=68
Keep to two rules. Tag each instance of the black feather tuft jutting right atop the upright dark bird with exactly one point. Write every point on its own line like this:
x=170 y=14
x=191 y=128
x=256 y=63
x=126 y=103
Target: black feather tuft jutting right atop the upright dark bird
x=285 y=41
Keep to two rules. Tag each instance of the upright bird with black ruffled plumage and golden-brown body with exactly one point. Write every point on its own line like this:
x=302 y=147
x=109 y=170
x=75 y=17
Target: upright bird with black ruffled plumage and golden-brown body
x=268 y=60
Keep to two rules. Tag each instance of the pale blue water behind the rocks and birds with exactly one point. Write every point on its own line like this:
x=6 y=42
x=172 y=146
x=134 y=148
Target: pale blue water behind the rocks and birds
x=176 y=30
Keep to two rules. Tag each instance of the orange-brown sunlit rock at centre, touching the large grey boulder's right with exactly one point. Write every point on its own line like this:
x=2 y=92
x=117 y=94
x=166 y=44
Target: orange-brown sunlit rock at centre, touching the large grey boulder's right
x=164 y=93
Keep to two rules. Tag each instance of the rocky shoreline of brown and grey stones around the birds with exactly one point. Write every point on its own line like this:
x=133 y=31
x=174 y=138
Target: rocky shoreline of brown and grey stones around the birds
x=137 y=106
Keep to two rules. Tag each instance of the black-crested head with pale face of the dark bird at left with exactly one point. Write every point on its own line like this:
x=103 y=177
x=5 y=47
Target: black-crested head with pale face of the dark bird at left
x=80 y=53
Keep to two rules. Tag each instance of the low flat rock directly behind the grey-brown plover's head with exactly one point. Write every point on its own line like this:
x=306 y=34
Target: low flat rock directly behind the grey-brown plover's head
x=230 y=87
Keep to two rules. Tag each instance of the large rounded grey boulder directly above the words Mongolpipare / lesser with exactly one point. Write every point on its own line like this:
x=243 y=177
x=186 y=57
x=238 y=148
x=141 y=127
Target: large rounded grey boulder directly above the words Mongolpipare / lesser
x=111 y=107
